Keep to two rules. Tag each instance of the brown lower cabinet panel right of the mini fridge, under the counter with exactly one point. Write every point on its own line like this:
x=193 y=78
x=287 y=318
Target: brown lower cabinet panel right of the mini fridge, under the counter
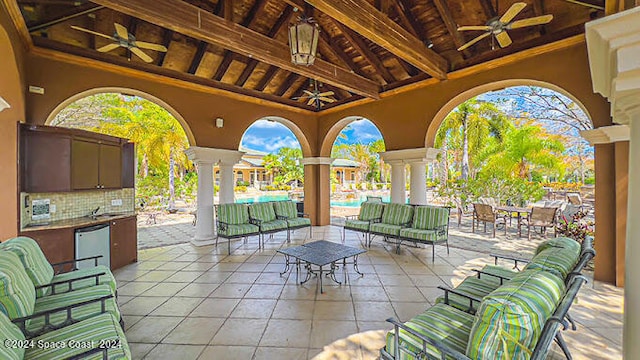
x=124 y=242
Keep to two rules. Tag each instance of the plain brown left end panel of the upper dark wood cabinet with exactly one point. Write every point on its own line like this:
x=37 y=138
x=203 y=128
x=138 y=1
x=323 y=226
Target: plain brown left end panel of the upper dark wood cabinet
x=45 y=162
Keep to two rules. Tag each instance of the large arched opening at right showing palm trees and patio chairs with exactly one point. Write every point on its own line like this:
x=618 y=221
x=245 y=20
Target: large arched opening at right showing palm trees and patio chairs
x=517 y=152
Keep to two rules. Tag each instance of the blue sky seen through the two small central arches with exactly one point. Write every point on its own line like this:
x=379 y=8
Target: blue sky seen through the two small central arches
x=270 y=136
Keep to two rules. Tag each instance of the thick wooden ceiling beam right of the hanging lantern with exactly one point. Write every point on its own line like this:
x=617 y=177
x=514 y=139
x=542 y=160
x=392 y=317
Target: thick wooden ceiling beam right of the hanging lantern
x=366 y=20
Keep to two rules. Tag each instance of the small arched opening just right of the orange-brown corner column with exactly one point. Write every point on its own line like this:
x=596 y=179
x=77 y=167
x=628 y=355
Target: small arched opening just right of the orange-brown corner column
x=357 y=171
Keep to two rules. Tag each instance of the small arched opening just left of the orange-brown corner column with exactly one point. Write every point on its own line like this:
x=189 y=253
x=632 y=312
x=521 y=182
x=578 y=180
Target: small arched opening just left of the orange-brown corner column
x=271 y=167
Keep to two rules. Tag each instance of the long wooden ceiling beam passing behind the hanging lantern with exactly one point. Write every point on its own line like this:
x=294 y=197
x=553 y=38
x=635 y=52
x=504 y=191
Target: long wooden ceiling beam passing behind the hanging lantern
x=192 y=21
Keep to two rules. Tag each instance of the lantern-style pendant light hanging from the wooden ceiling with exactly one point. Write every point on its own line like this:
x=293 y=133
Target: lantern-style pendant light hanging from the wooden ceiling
x=303 y=41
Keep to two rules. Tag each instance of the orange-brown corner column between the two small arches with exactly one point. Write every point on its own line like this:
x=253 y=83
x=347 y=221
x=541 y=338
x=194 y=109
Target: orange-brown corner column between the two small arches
x=317 y=189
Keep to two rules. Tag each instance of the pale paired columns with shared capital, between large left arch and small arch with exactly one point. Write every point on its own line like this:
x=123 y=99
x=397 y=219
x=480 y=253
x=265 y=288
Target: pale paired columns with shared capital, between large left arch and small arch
x=204 y=159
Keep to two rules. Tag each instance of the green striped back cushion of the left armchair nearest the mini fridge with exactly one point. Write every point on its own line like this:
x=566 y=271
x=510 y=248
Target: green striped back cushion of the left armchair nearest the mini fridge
x=35 y=263
